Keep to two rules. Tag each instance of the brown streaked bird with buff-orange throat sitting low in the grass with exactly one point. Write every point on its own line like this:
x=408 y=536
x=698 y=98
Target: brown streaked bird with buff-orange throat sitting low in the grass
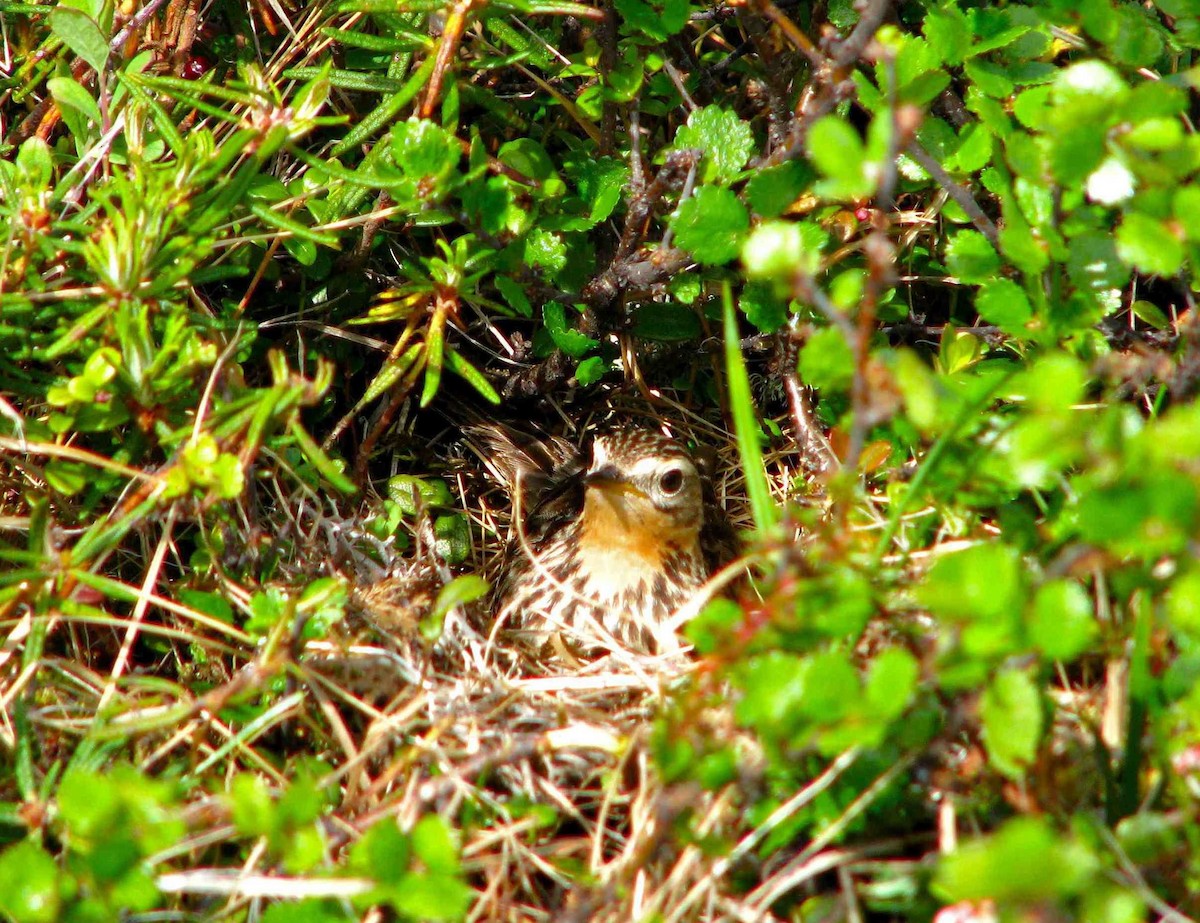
x=608 y=546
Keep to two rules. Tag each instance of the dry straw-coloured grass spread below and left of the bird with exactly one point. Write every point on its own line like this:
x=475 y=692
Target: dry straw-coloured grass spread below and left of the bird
x=550 y=758
